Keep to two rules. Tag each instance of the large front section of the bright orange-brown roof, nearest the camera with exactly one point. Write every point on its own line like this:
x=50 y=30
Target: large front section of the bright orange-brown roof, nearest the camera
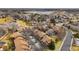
x=21 y=44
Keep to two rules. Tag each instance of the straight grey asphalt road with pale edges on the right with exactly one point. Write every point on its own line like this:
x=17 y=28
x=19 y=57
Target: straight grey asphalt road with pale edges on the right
x=67 y=42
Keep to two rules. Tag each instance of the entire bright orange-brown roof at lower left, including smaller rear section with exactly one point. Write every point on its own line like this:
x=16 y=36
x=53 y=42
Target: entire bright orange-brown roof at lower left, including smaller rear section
x=20 y=43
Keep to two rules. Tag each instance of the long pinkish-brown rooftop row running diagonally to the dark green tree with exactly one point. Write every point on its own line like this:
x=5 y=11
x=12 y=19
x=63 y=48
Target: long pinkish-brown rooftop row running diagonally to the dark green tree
x=43 y=37
